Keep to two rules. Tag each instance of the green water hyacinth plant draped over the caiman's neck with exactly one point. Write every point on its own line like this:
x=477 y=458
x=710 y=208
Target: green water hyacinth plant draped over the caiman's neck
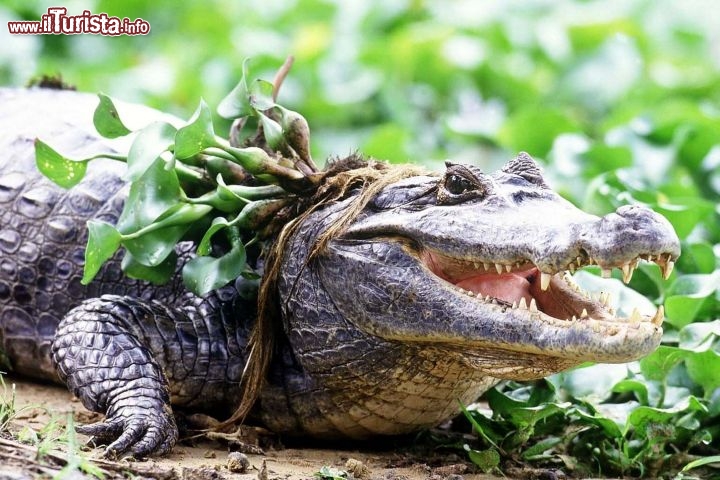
x=185 y=184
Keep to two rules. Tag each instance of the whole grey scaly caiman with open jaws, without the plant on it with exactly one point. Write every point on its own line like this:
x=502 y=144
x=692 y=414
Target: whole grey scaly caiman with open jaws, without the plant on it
x=439 y=287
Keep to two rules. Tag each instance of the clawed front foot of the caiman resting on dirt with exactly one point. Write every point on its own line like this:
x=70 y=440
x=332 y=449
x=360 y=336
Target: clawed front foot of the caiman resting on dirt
x=138 y=431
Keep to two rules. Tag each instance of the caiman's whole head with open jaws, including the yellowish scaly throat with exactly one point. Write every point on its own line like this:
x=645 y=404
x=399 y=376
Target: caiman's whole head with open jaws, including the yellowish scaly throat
x=459 y=280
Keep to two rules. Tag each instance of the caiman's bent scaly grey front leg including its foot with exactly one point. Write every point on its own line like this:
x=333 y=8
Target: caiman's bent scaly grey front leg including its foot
x=126 y=357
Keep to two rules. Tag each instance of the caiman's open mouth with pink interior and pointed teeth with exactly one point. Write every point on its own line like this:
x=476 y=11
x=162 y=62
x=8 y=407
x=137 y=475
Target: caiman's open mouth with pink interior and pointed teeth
x=521 y=285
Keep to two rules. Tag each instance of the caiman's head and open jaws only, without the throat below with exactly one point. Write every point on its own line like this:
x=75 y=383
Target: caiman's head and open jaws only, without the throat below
x=484 y=261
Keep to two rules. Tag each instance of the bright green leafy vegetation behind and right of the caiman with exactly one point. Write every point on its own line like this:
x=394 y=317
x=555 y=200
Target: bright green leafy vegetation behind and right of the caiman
x=619 y=100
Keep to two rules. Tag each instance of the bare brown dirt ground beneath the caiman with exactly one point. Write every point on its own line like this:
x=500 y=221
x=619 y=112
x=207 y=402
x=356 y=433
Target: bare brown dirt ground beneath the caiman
x=209 y=459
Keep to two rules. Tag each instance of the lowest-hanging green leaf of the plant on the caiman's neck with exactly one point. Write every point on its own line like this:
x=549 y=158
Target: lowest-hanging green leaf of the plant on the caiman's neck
x=201 y=275
